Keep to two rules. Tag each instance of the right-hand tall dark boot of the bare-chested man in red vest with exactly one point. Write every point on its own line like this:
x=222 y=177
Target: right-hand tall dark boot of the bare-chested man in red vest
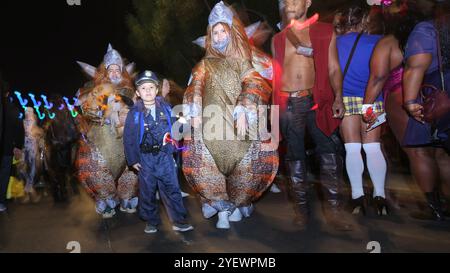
x=331 y=171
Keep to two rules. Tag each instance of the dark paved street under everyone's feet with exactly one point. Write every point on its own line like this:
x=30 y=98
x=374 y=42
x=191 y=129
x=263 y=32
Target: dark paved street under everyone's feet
x=48 y=227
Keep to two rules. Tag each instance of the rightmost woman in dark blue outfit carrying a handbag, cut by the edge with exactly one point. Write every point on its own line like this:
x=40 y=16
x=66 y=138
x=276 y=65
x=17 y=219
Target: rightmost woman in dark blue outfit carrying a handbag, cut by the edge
x=427 y=63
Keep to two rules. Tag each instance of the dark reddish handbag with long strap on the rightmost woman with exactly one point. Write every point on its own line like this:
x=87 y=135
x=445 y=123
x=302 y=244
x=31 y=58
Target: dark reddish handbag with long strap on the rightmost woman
x=435 y=101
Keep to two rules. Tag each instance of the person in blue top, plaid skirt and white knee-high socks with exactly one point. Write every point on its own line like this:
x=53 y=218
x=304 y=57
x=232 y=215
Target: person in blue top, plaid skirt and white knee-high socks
x=355 y=47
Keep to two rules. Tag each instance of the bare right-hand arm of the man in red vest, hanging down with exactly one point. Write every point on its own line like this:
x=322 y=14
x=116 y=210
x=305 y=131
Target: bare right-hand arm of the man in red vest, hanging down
x=336 y=80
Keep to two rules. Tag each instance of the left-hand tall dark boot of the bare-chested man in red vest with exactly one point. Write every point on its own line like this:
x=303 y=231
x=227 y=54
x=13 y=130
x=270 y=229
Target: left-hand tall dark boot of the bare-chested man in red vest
x=299 y=188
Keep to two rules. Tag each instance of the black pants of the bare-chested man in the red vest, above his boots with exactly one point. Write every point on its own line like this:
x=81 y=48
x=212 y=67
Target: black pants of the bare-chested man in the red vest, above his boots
x=294 y=123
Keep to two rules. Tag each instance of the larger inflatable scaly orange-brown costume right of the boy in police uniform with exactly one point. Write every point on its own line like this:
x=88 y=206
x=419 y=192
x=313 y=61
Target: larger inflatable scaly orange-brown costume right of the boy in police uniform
x=227 y=173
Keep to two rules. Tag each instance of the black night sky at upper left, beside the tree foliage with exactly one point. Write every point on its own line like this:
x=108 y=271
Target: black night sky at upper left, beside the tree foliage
x=41 y=40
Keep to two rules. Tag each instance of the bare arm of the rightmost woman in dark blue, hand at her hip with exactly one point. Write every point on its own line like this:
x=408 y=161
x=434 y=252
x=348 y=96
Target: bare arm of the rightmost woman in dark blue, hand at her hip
x=416 y=67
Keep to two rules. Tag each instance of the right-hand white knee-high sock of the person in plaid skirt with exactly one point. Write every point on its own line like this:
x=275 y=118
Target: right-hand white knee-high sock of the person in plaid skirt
x=376 y=163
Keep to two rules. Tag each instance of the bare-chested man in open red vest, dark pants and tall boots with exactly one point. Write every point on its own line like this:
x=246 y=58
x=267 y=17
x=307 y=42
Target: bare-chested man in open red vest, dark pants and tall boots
x=308 y=89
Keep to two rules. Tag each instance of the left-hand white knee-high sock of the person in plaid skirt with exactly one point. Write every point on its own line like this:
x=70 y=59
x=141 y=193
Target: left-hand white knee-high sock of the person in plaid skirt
x=355 y=168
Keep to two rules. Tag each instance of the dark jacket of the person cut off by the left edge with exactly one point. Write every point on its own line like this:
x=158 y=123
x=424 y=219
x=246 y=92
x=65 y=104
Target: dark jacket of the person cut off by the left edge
x=13 y=133
